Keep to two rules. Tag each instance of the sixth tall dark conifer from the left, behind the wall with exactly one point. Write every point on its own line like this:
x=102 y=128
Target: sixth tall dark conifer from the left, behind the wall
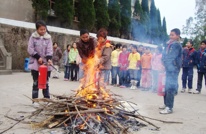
x=125 y=18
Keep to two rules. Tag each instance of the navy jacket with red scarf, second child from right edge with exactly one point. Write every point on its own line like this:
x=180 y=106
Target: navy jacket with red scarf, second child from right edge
x=189 y=58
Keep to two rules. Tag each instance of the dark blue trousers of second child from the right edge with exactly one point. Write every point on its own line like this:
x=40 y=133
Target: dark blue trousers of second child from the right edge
x=187 y=74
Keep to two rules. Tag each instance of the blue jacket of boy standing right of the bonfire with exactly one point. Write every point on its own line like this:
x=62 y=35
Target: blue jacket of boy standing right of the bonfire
x=172 y=57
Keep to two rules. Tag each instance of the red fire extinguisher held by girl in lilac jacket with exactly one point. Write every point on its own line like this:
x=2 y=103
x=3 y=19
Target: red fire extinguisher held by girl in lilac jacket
x=42 y=79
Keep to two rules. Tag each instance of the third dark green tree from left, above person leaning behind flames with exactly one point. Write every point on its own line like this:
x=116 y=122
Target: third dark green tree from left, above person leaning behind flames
x=86 y=14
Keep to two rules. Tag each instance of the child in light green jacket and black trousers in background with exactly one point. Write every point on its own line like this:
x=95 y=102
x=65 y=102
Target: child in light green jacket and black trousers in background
x=72 y=60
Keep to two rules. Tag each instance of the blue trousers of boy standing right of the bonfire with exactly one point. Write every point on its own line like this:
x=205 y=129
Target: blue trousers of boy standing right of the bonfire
x=171 y=86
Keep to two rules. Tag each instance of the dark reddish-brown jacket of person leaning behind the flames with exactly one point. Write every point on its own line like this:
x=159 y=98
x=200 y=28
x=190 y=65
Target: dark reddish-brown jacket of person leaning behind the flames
x=86 y=49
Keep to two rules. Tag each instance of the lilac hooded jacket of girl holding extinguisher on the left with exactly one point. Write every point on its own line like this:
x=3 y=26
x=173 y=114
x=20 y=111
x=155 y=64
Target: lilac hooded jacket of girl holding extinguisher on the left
x=39 y=47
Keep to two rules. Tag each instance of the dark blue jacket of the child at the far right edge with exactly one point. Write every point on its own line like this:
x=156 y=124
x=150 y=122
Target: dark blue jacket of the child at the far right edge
x=201 y=61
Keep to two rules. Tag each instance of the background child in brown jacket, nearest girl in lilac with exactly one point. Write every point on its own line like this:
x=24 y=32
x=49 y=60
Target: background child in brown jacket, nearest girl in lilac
x=57 y=55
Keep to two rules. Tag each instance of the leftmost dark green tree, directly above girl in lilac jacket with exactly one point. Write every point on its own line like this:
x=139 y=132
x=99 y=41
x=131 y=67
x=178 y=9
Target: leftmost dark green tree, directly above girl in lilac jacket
x=41 y=8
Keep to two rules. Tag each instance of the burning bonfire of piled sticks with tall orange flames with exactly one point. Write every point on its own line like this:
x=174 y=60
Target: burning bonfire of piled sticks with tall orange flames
x=91 y=109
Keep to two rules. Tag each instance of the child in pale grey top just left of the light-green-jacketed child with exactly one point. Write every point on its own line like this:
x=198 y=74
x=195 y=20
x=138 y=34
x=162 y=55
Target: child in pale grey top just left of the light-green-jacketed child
x=66 y=63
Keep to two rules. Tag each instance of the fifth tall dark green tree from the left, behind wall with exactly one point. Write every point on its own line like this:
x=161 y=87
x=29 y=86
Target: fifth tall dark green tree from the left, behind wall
x=114 y=15
